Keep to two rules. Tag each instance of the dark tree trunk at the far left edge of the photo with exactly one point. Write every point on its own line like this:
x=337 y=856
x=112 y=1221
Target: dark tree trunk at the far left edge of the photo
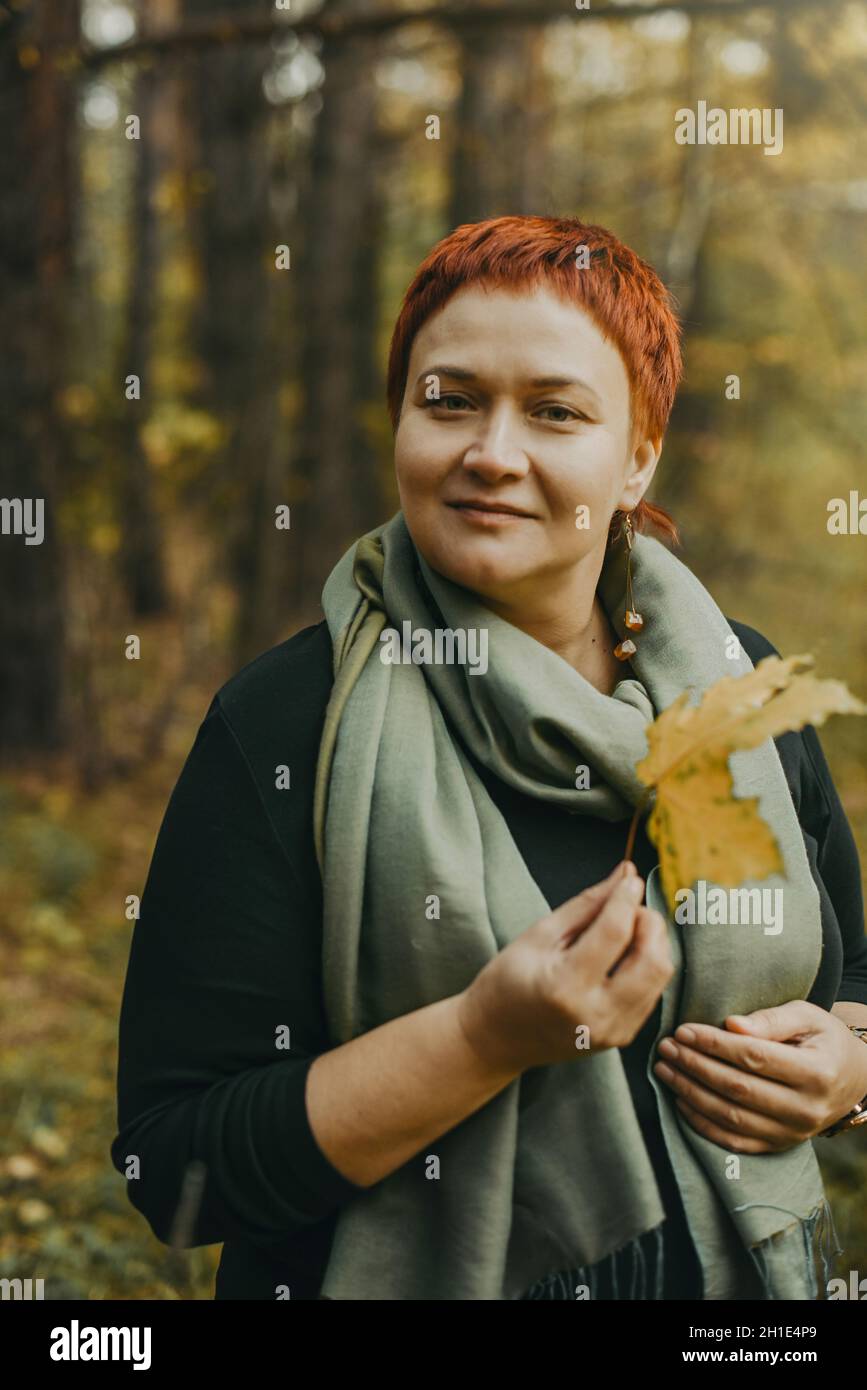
x=37 y=177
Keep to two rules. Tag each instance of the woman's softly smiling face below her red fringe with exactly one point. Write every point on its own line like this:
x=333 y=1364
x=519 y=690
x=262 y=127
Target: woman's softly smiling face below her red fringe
x=511 y=429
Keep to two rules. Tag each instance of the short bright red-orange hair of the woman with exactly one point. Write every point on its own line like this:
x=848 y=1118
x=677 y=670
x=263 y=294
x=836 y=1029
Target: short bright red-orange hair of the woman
x=622 y=293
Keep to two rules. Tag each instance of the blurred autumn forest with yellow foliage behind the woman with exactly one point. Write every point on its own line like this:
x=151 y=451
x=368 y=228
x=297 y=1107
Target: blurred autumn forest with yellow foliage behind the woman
x=262 y=387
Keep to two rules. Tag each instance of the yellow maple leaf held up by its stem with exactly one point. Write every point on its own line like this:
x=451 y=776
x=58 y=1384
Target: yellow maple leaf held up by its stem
x=700 y=828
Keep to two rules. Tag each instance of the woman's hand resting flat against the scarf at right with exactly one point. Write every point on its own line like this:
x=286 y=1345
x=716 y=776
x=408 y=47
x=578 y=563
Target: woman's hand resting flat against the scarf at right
x=769 y=1079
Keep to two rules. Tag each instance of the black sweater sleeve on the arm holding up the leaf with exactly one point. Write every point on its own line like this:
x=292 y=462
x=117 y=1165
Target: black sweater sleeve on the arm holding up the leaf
x=224 y=971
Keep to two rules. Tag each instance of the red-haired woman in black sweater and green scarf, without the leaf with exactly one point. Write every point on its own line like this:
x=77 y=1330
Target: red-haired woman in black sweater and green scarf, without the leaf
x=394 y=997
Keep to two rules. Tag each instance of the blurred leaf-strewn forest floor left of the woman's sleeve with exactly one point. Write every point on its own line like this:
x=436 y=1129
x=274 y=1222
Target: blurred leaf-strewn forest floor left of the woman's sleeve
x=70 y=856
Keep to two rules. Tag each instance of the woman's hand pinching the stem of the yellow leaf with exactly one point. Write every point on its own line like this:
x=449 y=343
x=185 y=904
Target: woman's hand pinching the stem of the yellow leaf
x=525 y=1007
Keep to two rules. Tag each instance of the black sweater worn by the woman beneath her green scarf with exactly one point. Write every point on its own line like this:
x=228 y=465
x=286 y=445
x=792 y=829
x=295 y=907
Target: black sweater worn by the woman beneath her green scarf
x=227 y=953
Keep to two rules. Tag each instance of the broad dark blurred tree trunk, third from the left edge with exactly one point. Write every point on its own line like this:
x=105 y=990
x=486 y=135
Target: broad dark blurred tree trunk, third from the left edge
x=234 y=326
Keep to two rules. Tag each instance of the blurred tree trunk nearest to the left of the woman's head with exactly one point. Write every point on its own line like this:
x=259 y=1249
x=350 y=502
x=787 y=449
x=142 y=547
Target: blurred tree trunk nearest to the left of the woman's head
x=337 y=461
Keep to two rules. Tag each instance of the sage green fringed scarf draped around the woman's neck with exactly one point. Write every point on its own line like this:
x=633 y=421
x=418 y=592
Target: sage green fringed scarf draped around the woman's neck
x=552 y=1174
